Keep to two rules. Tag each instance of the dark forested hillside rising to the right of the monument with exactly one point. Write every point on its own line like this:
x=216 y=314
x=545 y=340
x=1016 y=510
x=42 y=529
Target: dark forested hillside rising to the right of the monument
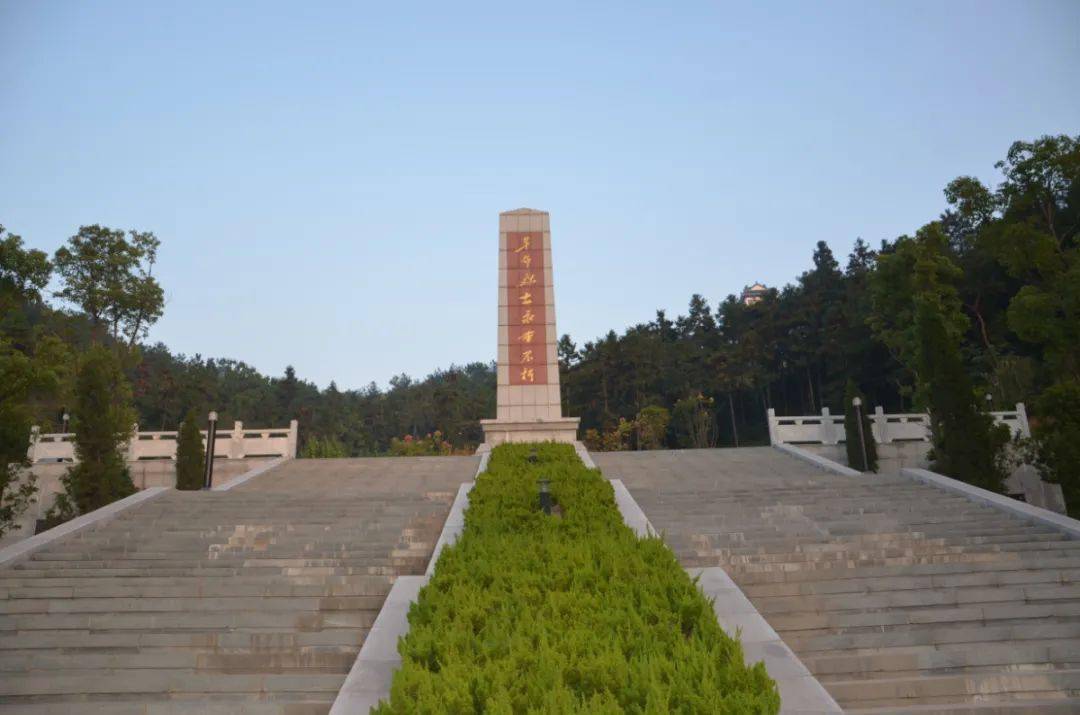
x=1002 y=267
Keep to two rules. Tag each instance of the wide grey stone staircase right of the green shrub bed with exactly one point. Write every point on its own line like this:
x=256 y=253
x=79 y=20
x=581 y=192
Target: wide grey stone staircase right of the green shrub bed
x=899 y=597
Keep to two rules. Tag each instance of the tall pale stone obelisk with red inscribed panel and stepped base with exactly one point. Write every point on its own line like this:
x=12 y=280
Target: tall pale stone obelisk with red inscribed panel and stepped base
x=530 y=403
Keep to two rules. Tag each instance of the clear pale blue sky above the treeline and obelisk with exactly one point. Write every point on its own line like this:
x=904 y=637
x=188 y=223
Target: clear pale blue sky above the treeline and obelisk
x=326 y=179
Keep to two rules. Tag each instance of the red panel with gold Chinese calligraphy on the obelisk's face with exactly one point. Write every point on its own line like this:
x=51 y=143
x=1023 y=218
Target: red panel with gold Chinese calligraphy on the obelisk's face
x=528 y=325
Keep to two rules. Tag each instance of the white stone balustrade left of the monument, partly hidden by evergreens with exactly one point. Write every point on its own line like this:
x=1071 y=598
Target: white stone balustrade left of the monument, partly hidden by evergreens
x=238 y=443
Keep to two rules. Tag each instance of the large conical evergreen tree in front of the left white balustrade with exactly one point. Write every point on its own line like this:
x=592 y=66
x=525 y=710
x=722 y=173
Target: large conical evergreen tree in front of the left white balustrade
x=103 y=421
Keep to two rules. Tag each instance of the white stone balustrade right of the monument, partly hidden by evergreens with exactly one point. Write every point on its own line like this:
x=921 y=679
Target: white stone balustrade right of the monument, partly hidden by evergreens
x=887 y=429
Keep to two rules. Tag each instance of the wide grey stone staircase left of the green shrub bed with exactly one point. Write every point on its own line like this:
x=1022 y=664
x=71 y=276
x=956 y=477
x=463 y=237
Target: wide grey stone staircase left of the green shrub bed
x=251 y=601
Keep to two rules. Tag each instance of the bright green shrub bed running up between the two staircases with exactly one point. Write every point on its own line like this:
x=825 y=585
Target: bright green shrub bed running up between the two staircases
x=565 y=613
